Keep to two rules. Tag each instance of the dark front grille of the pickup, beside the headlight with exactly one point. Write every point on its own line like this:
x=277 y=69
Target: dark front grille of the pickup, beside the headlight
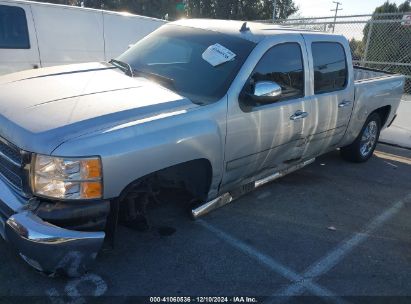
x=11 y=164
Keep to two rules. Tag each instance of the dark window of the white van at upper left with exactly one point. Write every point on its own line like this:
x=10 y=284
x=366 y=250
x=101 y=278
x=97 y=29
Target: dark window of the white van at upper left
x=13 y=28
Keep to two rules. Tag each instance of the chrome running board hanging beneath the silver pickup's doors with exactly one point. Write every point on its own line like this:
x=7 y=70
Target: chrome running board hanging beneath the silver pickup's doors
x=227 y=198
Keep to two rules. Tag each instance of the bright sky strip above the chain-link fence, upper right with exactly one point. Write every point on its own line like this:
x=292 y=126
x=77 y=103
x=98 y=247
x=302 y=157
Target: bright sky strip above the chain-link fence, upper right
x=309 y=8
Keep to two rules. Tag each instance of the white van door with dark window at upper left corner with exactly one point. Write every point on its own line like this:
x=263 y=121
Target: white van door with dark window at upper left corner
x=18 y=44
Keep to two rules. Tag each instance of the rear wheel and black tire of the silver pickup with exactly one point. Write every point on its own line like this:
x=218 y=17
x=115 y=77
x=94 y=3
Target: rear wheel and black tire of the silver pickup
x=360 y=151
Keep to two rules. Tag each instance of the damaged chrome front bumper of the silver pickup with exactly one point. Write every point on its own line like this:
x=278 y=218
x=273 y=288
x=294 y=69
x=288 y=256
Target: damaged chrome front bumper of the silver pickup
x=45 y=246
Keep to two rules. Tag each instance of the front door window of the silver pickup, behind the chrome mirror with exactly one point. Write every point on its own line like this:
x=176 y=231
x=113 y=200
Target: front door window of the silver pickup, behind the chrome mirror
x=284 y=65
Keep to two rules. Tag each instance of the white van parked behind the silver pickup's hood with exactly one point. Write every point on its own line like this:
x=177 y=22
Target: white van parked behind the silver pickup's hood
x=34 y=35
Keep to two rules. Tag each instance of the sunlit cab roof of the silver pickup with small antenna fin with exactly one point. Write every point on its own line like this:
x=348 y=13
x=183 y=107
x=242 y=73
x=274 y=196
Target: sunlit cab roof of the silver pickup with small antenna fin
x=255 y=32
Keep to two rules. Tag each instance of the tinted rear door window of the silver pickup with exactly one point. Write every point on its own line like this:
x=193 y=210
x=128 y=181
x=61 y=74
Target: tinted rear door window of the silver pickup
x=330 y=67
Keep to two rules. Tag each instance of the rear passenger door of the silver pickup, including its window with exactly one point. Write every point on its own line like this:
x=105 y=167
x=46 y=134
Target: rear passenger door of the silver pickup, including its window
x=332 y=90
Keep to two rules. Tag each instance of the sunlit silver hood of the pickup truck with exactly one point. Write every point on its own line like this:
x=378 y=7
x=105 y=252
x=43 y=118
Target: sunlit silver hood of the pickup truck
x=41 y=109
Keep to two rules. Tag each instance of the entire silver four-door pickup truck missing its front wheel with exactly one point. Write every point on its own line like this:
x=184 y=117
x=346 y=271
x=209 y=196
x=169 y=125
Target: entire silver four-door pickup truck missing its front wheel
x=208 y=108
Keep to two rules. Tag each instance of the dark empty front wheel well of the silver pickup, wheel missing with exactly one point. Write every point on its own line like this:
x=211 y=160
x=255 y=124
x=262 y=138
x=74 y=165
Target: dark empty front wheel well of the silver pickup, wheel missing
x=186 y=185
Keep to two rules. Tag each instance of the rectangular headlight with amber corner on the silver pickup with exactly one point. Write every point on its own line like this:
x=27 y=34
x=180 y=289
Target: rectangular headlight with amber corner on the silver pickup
x=67 y=178
